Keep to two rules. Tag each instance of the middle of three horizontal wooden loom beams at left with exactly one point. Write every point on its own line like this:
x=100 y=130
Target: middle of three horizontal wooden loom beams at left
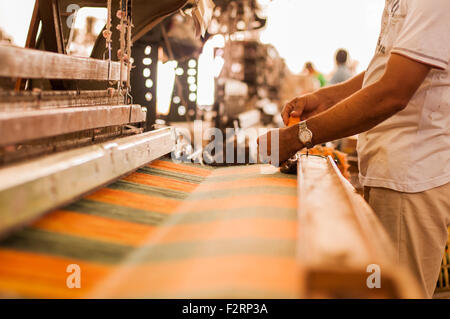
x=23 y=126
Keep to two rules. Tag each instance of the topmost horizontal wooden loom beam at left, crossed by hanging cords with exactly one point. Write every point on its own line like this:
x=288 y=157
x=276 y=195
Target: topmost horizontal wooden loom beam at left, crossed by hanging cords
x=24 y=63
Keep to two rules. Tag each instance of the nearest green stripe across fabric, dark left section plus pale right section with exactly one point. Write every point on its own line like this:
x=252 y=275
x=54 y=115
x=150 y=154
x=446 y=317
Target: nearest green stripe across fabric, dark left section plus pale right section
x=74 y=247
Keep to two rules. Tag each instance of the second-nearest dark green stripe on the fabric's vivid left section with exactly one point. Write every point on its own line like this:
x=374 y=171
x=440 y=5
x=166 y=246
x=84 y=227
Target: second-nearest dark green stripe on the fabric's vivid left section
x=90 y=207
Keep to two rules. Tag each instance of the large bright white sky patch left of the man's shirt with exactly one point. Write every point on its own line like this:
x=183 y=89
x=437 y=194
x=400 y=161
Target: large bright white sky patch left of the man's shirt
x=312 y=30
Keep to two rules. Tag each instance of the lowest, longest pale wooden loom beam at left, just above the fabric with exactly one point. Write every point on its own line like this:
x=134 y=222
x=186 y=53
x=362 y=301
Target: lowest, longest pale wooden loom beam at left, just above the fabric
x=28 y=190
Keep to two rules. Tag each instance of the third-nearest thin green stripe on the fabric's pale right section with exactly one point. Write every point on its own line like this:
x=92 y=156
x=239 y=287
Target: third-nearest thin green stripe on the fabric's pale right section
x=228 y=194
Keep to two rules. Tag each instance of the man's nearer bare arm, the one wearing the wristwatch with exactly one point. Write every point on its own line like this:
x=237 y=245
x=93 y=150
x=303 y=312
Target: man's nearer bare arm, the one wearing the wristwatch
x=363 y=110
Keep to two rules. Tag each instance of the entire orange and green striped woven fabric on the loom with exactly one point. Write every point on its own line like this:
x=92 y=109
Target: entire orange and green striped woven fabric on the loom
x=166 y=231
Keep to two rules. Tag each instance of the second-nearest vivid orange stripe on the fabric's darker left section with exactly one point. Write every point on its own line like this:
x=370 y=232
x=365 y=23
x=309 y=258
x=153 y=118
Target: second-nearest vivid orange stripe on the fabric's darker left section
x=95 y=227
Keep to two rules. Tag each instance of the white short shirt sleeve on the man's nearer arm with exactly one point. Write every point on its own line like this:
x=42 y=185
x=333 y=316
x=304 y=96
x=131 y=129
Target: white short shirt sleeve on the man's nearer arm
x=425 y=34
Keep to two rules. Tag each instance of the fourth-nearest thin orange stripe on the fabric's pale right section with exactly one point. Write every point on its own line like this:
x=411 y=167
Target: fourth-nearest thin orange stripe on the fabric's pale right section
x=245 y=183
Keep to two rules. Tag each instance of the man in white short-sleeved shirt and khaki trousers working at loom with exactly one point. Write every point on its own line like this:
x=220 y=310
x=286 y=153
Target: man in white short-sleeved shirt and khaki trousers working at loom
x=401 y=107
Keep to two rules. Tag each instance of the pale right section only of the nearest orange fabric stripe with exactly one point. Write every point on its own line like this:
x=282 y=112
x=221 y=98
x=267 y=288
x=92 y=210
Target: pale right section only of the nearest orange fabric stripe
x=197 y=277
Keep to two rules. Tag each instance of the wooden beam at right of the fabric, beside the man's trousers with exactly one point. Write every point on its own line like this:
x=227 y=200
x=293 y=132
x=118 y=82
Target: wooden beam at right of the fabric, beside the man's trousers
x=339 y=237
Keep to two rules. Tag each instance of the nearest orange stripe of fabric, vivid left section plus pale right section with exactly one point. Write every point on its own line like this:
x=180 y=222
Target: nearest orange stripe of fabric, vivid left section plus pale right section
x=35 y=275
